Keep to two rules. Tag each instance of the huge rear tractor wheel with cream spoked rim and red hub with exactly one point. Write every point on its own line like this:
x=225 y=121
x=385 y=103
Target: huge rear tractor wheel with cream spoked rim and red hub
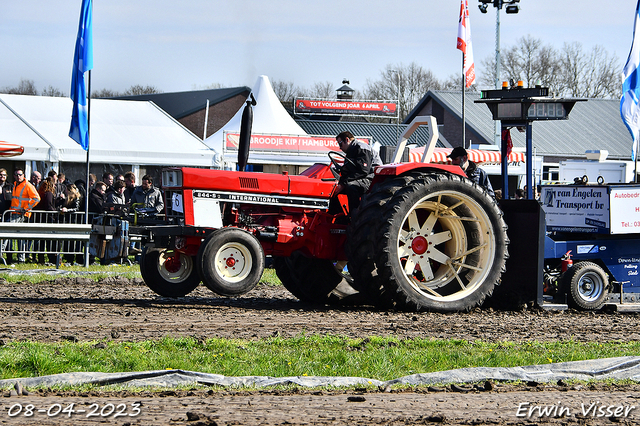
x=440 y=244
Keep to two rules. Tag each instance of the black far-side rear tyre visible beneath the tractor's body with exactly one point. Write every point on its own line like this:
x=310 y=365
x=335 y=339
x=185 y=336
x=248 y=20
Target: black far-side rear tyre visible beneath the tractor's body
x=309 y=279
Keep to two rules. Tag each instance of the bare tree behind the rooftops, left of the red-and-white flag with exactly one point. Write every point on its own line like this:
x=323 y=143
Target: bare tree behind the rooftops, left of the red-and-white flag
x=407 y=84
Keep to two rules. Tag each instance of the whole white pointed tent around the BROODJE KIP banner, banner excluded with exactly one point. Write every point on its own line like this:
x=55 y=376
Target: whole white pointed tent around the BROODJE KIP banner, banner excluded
x=269 y=118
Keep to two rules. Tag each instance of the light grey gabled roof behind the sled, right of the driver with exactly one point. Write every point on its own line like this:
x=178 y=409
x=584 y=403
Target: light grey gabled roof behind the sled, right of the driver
x=592 y=125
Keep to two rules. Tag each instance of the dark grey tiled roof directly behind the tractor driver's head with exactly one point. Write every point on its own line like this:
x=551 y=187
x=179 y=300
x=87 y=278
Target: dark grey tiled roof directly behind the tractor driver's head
x=383 y=133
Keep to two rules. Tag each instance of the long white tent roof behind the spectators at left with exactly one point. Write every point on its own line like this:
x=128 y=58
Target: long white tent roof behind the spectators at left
x=121 y=132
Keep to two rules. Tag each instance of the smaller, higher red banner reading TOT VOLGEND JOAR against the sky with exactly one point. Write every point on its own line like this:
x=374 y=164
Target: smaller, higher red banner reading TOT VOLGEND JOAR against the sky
x=324 y=106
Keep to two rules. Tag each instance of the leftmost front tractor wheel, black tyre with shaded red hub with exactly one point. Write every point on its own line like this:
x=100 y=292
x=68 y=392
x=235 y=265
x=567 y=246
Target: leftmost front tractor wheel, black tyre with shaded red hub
x=168 y=273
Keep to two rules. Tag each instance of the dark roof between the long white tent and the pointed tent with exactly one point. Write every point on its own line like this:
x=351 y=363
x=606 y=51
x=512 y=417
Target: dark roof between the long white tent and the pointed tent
x=181 y=104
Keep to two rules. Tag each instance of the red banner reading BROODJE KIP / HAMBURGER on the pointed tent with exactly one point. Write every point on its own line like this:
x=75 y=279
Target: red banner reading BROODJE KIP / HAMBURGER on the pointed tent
x=292 y=144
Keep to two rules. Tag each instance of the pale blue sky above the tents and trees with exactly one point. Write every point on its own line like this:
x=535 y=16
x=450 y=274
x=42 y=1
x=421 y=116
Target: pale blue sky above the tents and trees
x=179 y=46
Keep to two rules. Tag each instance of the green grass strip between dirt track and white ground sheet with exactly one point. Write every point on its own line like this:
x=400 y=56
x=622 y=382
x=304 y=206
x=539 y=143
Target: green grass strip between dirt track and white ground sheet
x=379 y=358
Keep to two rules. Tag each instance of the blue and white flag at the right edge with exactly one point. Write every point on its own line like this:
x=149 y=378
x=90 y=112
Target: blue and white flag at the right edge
x=629 y=108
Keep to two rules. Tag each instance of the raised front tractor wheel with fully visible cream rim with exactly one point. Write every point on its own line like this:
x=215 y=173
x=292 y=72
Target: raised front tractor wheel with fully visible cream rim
x=231 y=262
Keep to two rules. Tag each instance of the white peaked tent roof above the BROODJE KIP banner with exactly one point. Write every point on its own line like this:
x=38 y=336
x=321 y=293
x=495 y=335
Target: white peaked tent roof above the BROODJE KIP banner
x=269 y=117
